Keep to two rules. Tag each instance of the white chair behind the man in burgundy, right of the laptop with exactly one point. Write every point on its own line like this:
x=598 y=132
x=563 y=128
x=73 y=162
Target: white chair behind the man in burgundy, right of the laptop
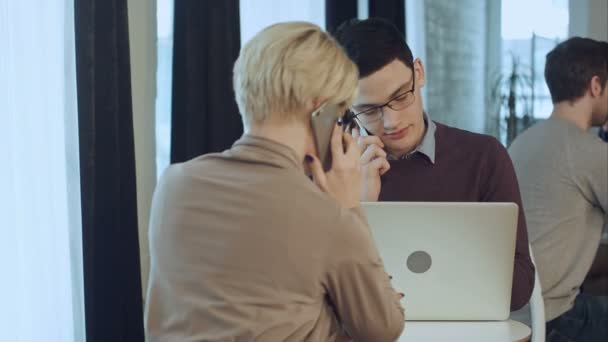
x=533 y=314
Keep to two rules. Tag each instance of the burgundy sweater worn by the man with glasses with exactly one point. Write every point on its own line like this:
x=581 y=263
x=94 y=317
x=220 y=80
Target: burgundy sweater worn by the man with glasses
x=469 y=167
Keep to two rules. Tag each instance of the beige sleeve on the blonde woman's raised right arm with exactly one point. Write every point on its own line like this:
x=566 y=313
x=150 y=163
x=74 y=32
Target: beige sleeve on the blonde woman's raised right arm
x=365 y=302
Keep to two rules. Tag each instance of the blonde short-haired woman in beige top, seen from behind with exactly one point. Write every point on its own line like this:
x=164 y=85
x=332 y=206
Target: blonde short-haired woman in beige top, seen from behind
x=244 y=246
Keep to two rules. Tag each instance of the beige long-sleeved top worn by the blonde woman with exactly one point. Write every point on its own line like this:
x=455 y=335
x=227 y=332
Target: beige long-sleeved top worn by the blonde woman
x=245 y=247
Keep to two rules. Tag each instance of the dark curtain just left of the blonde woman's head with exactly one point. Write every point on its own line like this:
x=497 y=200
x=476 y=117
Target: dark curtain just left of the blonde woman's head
x=205 y=117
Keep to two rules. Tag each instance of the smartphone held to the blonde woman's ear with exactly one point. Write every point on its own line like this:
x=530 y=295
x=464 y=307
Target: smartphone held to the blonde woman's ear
x=323 y=122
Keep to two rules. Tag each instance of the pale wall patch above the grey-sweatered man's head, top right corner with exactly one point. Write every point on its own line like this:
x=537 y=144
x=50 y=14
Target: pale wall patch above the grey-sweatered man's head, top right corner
x=589 y=18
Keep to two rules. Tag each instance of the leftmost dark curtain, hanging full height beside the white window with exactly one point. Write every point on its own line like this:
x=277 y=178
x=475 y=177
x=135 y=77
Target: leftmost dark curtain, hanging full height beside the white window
x=112 y=284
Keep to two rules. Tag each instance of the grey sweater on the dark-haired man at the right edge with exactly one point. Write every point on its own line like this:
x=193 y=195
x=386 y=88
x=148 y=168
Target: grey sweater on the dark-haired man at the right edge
x=563 y=176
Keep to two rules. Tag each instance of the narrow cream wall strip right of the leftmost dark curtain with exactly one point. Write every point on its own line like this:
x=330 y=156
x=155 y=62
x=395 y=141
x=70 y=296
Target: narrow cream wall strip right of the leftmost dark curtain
x=142 y=35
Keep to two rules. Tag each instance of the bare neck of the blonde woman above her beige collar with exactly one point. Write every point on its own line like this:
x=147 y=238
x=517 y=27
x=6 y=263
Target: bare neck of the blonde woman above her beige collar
x=291 y=134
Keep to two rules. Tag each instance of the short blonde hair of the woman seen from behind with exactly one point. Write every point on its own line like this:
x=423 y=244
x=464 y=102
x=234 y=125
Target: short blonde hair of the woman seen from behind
x=287 y=66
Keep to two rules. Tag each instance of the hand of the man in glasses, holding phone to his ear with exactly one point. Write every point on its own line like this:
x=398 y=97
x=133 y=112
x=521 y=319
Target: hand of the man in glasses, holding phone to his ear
x=373 y=165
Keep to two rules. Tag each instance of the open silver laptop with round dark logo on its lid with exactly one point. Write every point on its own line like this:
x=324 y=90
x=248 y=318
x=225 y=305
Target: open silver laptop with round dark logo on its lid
x=453 y=261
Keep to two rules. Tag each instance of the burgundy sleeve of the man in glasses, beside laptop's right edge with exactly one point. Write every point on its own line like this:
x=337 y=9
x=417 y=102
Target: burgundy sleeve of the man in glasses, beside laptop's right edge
x=500 y=185
